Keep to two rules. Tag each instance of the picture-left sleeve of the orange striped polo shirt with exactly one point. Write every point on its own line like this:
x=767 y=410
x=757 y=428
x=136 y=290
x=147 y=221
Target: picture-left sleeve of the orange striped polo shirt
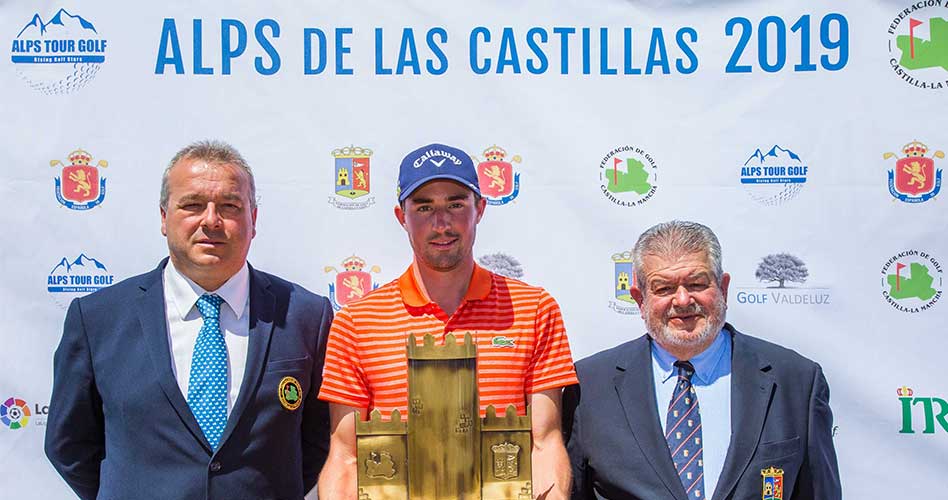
x=344 y=380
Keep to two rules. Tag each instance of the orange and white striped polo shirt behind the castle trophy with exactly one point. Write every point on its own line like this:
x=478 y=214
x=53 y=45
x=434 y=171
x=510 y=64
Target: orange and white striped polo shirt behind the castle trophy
x=521 y=342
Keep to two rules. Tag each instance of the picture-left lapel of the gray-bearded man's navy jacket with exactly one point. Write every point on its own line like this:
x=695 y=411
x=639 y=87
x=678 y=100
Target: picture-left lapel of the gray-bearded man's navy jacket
x=635 y=386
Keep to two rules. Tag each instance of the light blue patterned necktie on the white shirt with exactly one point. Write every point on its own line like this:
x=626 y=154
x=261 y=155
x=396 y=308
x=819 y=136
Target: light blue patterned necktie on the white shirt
x=207 y=384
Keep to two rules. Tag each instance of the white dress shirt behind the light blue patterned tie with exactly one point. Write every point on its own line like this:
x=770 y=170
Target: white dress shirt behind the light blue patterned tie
x=185 y=321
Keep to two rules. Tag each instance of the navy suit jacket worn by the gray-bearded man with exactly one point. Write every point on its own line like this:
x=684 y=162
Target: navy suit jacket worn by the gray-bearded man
x=780 y=417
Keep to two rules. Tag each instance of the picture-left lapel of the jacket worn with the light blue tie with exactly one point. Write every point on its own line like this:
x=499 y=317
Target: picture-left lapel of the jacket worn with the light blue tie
x=151 y=315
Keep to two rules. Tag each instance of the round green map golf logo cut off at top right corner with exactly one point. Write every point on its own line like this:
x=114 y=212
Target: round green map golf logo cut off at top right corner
x=918 y=44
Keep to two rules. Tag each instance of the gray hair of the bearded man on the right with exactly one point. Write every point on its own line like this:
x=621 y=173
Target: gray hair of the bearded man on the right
x=676 y=238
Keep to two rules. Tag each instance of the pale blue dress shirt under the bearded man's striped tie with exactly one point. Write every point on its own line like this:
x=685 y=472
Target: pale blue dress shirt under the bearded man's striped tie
x=712 y=383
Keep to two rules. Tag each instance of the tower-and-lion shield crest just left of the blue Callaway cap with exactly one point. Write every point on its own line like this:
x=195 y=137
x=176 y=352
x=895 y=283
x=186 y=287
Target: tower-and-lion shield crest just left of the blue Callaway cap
x=351 y=176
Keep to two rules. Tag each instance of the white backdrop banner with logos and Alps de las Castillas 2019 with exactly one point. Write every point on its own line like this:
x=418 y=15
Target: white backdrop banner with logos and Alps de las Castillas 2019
x=809 y=136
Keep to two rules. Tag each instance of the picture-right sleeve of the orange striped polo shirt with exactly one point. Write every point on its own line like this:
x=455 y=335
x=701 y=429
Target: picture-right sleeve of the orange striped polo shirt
x=552 y=364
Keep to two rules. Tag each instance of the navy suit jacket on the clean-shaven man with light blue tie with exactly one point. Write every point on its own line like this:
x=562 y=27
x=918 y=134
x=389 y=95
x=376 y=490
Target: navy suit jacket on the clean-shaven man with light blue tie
x=119 y=427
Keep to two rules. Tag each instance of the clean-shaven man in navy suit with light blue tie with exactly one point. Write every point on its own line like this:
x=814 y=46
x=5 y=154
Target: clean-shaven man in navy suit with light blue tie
x=197 y=380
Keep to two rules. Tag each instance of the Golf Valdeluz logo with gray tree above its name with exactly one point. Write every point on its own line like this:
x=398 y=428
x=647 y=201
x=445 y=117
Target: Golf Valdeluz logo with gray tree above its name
x=780 y=270
